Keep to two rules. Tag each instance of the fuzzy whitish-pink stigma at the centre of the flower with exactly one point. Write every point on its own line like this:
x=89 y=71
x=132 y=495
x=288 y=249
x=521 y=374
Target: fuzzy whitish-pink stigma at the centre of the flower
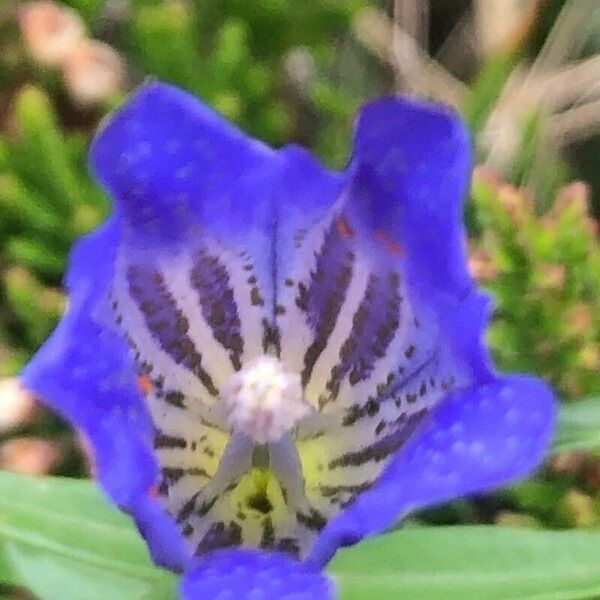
x=263 y=400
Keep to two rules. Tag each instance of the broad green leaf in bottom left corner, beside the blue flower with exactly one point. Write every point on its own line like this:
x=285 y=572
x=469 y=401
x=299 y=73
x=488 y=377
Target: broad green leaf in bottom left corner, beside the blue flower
x=61 y=539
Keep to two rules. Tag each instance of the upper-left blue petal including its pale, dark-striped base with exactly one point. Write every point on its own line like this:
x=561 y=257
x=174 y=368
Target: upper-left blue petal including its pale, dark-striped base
x=193 y=195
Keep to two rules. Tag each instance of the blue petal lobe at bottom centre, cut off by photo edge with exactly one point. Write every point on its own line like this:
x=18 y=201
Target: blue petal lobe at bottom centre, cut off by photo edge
x=253 y=575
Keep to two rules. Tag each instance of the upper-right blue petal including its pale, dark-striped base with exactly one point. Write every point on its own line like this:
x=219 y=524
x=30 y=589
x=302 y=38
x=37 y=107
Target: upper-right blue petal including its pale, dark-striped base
x=382 y=271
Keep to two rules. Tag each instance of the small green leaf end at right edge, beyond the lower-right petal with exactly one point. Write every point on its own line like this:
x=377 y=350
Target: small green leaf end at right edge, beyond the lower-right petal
x=578 y=426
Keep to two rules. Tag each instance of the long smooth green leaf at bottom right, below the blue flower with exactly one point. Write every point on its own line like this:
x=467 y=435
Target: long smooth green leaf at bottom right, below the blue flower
x=471 y=563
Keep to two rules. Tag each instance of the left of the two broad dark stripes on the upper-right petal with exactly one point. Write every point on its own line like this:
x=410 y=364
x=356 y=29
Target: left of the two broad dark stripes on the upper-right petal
x=322 y=298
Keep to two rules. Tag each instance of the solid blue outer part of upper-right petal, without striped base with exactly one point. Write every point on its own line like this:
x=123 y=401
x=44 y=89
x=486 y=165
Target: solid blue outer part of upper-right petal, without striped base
x=409 y=176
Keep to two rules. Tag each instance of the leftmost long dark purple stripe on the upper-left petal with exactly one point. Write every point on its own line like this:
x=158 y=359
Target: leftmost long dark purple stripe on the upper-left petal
x=166 y=322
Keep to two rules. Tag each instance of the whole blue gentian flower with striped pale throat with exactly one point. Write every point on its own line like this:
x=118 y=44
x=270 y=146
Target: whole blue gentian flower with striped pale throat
x=272 y=360
